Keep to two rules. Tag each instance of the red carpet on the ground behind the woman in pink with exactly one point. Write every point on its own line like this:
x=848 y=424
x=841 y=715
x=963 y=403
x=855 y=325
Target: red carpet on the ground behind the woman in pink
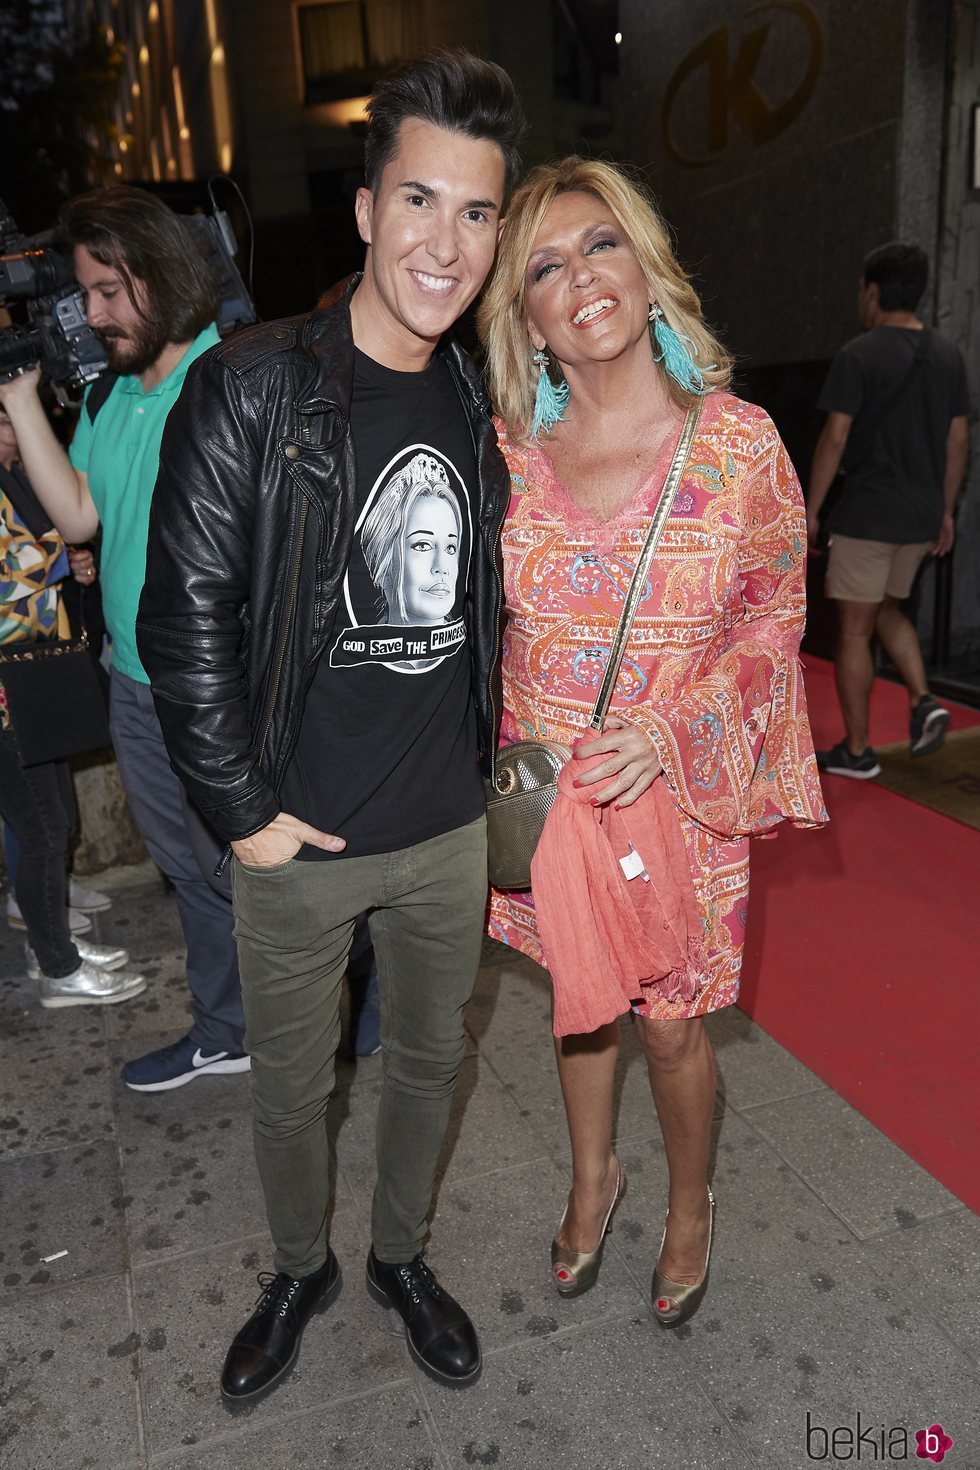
x=863 y=952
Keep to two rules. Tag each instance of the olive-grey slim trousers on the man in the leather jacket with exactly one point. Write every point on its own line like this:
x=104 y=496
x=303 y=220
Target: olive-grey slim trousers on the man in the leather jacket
x=295 y=927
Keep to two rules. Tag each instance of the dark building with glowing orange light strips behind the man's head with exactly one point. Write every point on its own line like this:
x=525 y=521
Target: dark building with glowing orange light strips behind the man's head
x=273 y=92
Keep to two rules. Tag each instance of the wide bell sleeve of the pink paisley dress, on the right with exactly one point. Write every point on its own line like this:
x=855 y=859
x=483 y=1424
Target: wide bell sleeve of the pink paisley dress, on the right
x=735 y=746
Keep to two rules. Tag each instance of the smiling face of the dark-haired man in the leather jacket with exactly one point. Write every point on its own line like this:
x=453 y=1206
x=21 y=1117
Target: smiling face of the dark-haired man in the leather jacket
x=431 y=232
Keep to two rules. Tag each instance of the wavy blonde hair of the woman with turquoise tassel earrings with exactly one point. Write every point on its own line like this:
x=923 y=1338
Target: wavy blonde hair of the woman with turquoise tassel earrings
x=502 y=321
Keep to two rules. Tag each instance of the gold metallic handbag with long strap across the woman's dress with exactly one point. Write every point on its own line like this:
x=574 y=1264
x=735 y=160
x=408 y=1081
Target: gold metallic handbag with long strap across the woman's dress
x=527 y=772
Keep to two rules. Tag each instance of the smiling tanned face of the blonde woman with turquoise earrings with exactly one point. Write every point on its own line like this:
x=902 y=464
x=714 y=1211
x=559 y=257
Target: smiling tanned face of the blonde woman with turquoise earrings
x=587 y=296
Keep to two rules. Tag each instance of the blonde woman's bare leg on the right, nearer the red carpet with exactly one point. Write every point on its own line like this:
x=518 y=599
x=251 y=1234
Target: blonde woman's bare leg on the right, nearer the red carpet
x=682 y=1078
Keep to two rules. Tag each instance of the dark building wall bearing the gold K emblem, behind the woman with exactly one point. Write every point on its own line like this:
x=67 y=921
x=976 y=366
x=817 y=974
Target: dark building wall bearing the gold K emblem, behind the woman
x=785 y=142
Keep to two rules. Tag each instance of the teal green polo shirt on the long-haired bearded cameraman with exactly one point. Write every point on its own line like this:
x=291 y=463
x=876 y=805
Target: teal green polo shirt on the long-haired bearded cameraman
x=121 y=456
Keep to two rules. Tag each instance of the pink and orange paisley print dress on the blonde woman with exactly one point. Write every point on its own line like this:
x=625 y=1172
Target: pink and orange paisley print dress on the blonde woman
x=712 y=670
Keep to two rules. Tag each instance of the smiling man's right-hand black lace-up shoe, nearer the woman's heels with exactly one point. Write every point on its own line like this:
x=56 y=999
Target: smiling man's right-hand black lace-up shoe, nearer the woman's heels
x=442 y=1338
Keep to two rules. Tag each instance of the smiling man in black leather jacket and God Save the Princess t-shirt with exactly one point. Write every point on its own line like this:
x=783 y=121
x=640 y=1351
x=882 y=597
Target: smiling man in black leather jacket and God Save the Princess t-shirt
x=320 y=624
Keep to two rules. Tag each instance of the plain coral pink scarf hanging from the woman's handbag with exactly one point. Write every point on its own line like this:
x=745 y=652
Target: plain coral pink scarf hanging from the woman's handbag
x=609 y=939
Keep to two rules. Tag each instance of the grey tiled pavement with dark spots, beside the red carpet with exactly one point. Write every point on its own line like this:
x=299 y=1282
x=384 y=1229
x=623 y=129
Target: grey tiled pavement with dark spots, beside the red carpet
x=846 y=1280
